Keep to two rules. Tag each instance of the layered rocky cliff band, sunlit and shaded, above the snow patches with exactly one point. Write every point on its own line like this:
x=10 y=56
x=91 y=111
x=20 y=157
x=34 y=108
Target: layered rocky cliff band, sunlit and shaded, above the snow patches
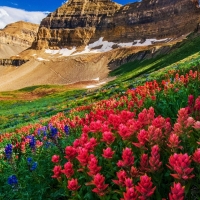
x=79 y=22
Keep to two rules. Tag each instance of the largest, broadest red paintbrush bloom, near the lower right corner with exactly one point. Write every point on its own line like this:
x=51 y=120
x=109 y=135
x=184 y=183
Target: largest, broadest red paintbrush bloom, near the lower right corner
x=180 y=163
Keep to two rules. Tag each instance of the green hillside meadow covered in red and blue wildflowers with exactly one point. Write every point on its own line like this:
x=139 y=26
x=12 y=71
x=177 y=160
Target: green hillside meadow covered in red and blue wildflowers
x=126 y=140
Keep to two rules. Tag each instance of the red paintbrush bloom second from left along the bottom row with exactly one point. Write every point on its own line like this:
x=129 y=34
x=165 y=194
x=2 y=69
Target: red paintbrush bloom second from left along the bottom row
x=99 y=182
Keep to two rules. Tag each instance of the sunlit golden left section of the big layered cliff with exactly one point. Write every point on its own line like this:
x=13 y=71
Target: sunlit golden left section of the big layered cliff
x=74 y=23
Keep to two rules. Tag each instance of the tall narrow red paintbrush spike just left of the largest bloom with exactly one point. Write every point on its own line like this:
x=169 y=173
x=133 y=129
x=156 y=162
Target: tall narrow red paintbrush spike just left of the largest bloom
x=154 y=160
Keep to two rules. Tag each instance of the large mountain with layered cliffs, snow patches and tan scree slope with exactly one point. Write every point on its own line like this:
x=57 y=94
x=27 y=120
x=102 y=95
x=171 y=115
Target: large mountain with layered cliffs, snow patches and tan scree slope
x=83 y=40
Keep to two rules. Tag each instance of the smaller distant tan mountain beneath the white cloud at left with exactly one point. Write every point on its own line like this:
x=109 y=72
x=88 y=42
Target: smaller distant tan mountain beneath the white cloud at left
x=17 y=37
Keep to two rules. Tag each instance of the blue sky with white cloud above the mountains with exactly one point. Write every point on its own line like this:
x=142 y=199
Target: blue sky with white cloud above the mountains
x=31 y=10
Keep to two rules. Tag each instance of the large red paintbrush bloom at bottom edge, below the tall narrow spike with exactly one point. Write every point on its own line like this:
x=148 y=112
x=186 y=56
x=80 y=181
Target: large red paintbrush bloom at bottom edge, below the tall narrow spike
x=145 y=187
